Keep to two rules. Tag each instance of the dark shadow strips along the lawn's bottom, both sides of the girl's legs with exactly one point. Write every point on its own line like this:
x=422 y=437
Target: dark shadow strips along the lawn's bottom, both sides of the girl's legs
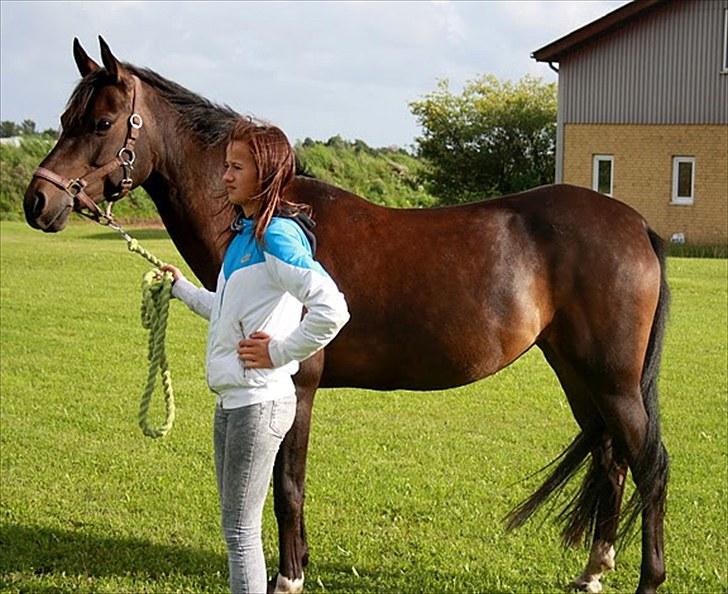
x=40 y=559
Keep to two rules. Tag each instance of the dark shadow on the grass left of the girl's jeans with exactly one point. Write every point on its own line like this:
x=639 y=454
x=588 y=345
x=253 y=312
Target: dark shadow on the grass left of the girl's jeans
x=41 y=551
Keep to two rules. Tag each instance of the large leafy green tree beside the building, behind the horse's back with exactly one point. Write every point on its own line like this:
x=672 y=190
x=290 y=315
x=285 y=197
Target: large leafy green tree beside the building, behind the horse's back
x=495 y=138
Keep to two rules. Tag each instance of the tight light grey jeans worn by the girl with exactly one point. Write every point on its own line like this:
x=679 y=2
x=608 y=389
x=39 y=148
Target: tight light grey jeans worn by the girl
x=246 y=443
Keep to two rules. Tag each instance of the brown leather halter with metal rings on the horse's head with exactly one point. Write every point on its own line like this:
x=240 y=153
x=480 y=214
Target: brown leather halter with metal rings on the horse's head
x=125 y=158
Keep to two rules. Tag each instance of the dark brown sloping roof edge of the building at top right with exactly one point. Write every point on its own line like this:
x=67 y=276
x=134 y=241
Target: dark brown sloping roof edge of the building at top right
x=602 y=26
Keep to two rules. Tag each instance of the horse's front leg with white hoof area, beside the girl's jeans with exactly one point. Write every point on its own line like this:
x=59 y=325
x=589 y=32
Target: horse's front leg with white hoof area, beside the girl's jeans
x=289 y=475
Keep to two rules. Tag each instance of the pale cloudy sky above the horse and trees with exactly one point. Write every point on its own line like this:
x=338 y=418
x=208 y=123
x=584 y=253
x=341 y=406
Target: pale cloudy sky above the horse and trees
x=316 y=69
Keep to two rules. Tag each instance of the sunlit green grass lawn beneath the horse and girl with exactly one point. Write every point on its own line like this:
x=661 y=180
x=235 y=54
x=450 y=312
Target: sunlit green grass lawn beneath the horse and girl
x=406 y=491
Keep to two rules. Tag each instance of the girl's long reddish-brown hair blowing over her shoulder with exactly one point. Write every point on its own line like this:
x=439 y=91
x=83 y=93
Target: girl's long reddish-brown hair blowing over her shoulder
x=275 y=162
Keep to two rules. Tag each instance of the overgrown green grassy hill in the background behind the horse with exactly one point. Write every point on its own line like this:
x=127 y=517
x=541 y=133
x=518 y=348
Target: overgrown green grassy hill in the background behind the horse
x=387 y=176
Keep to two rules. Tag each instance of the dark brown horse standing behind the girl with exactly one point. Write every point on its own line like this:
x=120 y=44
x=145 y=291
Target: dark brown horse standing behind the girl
x=438 y=298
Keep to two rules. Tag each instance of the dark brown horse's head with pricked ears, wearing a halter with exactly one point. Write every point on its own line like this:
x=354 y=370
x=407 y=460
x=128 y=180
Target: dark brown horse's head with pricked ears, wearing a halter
x=104 y=148
